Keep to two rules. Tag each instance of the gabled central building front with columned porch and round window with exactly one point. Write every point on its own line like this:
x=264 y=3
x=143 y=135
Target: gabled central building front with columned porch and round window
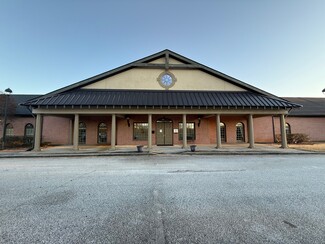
x=159 y=100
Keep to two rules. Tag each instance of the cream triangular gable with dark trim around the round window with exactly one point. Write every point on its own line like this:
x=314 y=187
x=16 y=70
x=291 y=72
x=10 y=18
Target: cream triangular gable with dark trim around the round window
x=143 y=73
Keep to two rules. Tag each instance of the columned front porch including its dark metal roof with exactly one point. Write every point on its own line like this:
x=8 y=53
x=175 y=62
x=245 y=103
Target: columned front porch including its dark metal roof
x=133 y=117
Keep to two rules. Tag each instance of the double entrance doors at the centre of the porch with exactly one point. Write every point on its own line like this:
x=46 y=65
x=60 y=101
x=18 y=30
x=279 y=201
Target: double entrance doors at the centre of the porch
x=164 y=133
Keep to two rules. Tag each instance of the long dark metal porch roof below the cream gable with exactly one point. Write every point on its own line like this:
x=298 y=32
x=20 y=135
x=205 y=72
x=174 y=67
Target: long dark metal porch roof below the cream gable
x=86 y=97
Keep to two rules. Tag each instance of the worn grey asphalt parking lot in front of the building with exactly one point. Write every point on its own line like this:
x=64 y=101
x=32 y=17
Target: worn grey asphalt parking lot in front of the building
x=163 y=199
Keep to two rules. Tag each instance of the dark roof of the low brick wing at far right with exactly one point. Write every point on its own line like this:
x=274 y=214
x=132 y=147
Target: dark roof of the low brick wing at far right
x=312 y=106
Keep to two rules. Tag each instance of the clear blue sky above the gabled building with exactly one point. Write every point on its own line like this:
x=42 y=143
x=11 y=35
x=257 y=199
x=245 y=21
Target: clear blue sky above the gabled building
x=276 y=45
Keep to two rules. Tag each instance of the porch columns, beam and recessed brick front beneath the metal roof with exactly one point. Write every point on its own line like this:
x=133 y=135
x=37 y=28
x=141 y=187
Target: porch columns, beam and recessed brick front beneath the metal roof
x=160 y=128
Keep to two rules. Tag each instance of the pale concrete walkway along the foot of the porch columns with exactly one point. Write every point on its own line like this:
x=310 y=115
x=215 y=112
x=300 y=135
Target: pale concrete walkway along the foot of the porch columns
x=227 y=149
